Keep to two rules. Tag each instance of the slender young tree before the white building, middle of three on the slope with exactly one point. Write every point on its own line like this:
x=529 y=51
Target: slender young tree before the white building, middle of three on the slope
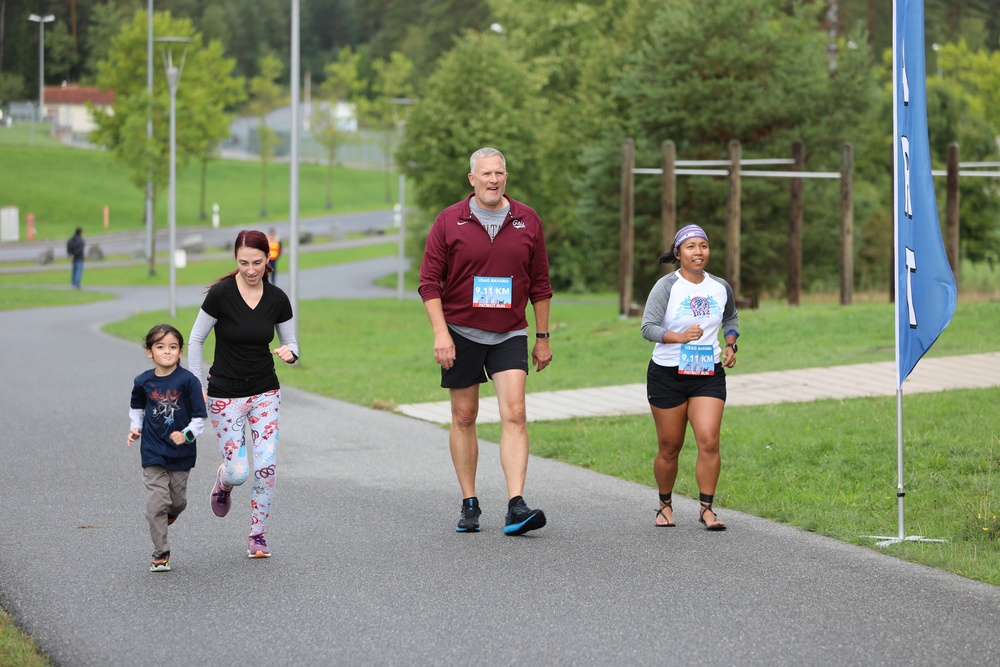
x=342 y=84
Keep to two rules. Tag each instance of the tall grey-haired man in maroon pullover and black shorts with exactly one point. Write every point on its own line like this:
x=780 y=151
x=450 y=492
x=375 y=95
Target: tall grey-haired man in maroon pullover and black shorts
x=484 y=261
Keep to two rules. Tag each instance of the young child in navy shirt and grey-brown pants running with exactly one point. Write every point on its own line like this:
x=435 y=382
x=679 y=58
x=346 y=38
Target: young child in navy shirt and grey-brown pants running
x=168 y=411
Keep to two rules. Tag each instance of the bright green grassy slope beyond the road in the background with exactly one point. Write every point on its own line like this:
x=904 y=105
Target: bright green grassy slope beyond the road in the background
x=64 y=188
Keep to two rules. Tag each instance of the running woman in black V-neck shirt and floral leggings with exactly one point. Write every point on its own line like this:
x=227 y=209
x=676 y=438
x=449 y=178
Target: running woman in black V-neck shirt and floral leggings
x=244 y=308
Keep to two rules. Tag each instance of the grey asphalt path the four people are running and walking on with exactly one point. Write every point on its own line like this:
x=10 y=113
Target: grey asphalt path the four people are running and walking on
x=367 y=568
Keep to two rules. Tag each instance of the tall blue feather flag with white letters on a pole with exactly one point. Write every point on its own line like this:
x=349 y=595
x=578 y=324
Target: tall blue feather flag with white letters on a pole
x=925 y=285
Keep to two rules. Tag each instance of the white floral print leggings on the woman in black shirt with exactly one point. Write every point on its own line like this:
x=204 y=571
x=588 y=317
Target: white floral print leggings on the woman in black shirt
x=229 y=417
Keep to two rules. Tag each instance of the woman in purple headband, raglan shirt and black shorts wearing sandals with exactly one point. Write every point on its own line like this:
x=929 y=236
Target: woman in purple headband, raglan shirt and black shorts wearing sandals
x=686 y=378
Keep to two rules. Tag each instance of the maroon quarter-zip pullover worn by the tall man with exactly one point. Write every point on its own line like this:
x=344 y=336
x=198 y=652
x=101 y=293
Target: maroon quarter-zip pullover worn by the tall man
x=459 y=249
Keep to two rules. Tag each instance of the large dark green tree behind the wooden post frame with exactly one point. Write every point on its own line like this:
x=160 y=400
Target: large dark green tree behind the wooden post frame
x=705 y=73
